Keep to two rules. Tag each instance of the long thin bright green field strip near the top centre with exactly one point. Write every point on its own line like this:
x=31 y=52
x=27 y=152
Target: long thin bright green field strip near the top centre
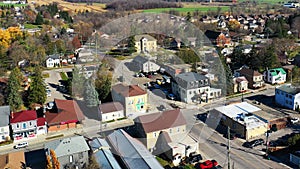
x=188 y=9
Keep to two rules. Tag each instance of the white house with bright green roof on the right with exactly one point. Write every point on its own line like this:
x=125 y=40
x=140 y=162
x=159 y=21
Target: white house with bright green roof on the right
x=275 y=76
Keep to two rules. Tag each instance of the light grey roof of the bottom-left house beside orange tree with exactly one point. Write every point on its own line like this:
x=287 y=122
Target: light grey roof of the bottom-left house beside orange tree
x=68 y=146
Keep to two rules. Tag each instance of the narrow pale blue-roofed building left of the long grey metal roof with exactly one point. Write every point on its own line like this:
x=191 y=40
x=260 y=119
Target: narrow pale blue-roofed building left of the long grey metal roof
x=103 y=155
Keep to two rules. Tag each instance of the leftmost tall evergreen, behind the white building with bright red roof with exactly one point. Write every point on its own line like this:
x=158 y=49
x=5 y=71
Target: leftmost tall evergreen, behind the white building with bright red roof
x=14 y=98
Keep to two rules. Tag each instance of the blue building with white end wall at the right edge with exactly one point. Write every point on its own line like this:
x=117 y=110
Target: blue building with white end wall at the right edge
x=288 y=96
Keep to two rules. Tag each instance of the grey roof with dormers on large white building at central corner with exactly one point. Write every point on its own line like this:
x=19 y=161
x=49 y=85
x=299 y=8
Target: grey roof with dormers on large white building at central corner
x=192 y=80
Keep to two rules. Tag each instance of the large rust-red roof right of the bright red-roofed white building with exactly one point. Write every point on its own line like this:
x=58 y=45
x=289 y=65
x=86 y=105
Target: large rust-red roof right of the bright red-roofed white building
x=68 y=111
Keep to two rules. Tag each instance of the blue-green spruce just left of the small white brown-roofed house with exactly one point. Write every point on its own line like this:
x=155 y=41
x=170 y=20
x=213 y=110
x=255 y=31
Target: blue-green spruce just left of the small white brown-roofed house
x=90 y=94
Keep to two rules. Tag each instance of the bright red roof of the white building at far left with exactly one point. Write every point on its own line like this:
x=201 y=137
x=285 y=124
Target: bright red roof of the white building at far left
x=25 y=115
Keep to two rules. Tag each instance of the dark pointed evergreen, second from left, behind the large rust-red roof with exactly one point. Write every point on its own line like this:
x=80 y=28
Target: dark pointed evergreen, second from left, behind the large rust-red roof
x=37 y=90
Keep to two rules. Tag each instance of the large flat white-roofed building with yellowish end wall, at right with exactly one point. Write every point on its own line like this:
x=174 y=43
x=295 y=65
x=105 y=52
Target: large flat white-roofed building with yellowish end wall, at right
x=240 y=119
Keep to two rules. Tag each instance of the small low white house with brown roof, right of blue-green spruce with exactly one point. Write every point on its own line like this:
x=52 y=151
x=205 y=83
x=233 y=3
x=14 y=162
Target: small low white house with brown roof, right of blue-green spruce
x=111 y=111
